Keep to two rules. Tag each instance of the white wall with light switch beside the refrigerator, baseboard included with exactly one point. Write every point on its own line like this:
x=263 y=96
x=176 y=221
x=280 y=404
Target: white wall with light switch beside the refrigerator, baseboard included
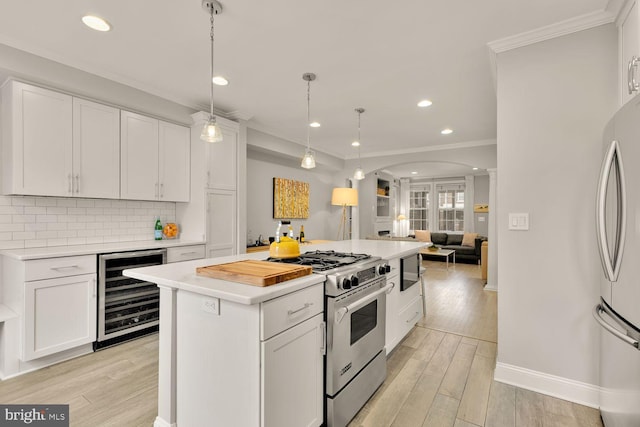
x=554 y=99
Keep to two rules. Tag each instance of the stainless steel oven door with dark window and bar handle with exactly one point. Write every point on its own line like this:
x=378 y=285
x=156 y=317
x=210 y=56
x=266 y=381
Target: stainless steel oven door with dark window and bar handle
x=355 y=332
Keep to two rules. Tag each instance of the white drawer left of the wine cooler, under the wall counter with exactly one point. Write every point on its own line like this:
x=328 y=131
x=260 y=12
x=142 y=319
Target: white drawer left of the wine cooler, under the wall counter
x=50 y=268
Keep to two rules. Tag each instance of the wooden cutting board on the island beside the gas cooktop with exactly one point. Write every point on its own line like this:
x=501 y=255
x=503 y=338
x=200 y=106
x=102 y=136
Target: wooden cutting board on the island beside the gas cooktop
x=258 y=273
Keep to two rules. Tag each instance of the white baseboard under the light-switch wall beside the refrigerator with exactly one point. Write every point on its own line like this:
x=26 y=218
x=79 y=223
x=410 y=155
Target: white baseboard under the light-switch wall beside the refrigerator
x=562 y=388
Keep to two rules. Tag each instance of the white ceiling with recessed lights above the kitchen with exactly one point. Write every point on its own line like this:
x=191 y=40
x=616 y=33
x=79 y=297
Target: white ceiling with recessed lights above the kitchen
x=382 y=56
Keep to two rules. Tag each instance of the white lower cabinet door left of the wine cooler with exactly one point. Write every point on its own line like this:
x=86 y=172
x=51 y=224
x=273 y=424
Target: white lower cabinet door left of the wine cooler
x=59 y=314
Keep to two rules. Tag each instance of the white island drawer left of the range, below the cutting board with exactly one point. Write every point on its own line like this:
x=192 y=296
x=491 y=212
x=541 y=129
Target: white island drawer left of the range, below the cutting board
x=282 y=313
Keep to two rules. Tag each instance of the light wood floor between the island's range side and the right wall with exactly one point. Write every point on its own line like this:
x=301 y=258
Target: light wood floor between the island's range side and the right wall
x=441 y=374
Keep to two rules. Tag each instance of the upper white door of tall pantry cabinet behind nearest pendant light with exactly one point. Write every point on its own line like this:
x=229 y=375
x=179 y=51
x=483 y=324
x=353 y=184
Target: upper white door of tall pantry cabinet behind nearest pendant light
x=222 y=161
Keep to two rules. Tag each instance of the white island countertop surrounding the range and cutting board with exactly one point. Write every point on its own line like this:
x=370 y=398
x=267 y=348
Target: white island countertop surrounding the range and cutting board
x=182 y=275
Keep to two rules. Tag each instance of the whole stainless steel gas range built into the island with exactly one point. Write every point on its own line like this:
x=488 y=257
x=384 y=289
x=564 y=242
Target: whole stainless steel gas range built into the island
x=355 y=305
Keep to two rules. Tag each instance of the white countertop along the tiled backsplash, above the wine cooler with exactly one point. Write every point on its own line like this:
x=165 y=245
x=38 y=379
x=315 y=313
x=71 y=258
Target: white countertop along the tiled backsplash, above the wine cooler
x=72 y=250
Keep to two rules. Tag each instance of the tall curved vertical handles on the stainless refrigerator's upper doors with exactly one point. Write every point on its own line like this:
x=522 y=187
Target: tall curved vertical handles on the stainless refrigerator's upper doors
x=611 y=267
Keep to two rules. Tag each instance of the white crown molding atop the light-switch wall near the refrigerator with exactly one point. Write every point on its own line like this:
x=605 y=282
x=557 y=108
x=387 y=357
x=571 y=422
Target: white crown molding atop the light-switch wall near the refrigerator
x=562 y=28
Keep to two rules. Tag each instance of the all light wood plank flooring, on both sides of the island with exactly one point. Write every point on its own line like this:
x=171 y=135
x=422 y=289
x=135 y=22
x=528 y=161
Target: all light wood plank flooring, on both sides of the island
x=440 y=375
